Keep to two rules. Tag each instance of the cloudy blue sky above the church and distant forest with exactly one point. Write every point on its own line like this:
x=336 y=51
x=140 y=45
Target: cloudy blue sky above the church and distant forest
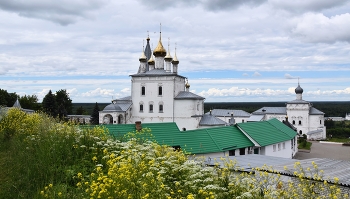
x=231 y=51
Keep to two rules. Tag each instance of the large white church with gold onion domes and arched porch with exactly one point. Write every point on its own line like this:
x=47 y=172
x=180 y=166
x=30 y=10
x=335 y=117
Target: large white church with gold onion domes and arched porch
x=158 y=94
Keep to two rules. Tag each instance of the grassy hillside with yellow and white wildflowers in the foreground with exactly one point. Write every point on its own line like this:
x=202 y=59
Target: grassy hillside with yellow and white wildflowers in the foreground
x=41 y=157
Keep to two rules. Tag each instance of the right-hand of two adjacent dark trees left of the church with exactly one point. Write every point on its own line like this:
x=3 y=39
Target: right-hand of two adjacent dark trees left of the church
x=64 y=103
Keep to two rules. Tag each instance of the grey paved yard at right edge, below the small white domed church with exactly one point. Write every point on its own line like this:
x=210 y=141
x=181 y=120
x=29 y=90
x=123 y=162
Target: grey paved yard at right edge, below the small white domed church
x=323 y=150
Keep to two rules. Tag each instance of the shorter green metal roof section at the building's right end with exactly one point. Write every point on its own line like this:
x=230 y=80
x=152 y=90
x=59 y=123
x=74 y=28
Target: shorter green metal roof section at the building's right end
x=267 y=132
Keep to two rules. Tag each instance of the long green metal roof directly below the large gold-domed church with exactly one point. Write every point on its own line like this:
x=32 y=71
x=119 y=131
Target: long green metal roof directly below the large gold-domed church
x=197 y=141
